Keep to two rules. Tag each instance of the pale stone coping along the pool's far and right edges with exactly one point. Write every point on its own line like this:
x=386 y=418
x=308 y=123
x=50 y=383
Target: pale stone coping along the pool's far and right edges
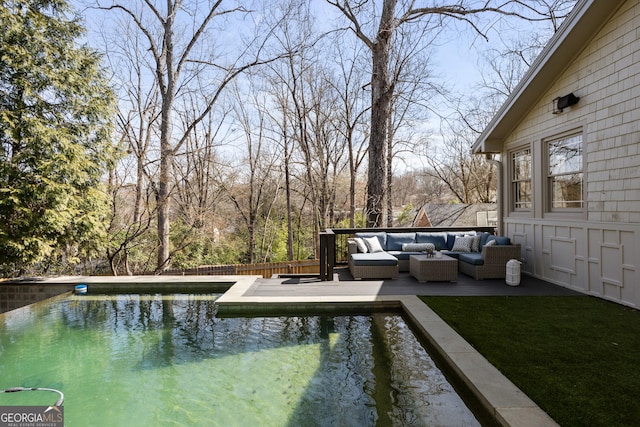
x=497 y=397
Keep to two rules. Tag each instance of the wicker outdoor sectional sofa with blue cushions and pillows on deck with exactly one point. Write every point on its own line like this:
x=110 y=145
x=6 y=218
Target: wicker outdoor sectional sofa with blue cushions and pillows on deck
x=480 y=255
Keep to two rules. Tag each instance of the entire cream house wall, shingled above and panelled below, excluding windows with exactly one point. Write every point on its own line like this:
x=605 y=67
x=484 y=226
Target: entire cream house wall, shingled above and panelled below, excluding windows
x=596 y=252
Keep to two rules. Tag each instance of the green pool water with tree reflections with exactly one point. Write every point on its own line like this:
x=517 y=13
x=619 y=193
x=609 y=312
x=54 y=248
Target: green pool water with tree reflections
x=167 y=360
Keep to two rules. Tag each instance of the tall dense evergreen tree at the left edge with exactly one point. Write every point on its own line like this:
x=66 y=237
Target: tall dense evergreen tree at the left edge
x=55 y=112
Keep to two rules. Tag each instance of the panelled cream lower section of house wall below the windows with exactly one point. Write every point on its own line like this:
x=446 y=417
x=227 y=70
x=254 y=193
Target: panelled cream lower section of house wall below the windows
x=595 y=258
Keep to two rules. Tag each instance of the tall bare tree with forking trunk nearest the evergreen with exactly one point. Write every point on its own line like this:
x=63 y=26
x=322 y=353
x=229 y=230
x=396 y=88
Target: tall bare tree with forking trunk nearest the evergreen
x=180 y=37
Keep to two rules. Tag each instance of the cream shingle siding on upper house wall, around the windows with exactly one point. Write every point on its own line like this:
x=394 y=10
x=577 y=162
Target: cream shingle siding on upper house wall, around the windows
x=606 y=76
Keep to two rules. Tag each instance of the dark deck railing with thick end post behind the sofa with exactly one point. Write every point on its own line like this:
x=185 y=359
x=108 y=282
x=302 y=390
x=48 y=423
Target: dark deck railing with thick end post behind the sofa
x=334 y=248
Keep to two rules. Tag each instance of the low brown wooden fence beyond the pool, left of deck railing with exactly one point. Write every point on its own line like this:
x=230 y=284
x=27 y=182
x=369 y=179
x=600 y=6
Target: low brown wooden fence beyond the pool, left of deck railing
x=266 y=270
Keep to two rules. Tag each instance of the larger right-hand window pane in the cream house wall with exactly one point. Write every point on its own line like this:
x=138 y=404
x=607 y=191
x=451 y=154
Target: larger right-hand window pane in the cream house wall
x=565 y=174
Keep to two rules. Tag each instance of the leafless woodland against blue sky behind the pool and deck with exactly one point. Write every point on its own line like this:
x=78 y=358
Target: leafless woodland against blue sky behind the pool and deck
x=247 y=127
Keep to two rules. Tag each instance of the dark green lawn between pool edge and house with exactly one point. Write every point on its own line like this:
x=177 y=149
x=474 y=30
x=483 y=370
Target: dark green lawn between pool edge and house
x=577 y=357
